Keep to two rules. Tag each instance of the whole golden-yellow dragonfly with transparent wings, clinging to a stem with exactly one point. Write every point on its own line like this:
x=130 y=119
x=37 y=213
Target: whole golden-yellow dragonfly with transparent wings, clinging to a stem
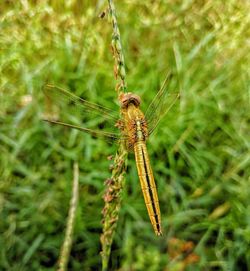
x=131 y=126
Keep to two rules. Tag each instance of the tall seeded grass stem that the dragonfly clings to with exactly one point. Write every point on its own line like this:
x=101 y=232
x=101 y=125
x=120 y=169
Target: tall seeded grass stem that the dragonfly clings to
x=114 y=185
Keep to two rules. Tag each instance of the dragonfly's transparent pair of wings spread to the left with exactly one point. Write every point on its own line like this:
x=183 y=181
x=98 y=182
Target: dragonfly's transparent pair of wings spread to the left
x=75 y=112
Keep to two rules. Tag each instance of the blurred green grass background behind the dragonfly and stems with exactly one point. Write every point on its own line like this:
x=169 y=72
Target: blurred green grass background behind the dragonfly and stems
x=200 y=152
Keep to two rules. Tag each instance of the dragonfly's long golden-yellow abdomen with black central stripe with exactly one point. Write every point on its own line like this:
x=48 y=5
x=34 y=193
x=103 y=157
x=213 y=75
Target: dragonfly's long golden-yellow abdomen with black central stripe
x=148 y=186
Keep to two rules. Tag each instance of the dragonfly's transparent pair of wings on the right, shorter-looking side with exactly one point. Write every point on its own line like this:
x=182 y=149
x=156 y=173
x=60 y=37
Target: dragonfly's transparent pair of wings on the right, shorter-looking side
x=160 y=105
